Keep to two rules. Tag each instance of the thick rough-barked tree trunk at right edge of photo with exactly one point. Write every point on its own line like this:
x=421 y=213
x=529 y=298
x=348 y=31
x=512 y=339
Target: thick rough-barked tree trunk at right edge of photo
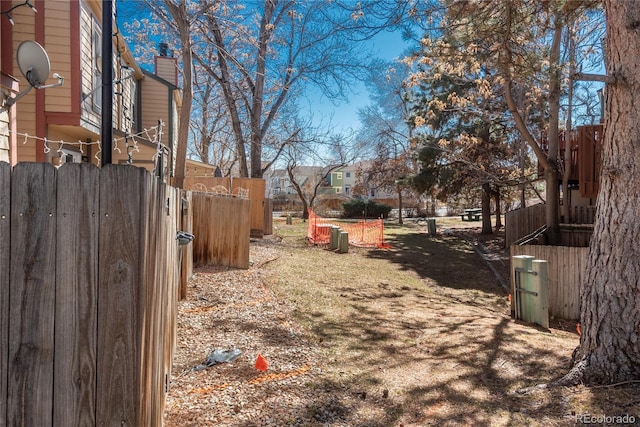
x=609 y=350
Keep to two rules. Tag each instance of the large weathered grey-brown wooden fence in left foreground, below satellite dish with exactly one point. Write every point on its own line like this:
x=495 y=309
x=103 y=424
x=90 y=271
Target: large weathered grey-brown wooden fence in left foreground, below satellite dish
x=88 y=295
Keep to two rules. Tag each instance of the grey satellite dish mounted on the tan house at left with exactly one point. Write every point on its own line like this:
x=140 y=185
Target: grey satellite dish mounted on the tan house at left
x=34 y=65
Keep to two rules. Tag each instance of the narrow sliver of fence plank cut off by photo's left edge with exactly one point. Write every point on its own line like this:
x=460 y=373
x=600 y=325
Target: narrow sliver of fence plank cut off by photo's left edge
x=5 y=252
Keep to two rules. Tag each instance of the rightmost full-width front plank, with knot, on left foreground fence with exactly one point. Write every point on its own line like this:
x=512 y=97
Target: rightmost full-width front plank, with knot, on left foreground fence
x=119 y=294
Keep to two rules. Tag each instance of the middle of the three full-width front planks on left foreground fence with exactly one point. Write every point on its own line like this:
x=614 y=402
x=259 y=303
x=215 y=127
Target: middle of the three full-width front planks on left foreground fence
x=76 y=295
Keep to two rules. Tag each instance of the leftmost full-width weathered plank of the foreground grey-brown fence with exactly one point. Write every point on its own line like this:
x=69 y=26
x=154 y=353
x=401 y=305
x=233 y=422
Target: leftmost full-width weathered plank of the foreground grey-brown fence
x=32 y=296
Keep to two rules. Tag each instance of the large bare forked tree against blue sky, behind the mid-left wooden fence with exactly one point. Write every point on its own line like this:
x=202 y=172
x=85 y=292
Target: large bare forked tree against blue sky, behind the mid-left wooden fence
x=264 y=54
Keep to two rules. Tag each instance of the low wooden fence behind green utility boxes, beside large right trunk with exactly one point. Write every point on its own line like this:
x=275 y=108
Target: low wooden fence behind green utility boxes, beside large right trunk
x=566 y=272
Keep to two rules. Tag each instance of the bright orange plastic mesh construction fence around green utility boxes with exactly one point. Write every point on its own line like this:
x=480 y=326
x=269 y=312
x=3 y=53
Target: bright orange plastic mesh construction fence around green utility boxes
x=367 y=234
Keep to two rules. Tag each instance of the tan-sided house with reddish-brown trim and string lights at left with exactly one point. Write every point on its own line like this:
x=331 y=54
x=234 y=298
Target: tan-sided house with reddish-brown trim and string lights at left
x=62 y=124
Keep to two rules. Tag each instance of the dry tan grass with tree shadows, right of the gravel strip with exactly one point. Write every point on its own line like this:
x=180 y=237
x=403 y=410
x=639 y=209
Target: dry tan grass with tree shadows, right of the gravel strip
x=421 y=335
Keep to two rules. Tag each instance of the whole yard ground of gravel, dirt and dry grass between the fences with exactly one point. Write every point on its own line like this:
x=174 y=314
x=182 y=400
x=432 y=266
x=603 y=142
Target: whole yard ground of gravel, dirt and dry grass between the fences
x=416 y=335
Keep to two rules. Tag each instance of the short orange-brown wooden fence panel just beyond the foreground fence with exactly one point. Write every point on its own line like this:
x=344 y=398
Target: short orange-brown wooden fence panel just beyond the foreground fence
x=222 y=228
